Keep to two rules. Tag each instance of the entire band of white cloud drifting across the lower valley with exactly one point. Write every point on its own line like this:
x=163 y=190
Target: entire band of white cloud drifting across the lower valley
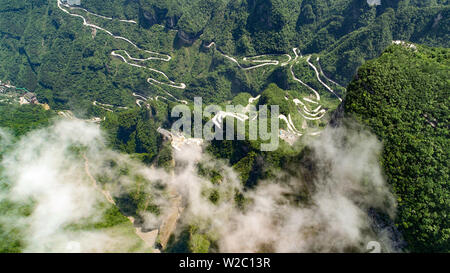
x=47 y=167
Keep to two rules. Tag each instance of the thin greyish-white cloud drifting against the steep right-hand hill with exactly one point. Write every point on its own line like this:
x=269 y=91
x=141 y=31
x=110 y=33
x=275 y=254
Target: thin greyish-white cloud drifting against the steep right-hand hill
x=347 y=183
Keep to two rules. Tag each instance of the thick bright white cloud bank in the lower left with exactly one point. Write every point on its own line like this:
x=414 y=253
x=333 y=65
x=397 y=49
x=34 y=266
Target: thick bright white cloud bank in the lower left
x=44 y=171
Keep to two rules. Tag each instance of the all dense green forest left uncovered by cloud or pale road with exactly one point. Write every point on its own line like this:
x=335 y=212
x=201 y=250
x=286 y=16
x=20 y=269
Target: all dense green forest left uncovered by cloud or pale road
x=401 y=95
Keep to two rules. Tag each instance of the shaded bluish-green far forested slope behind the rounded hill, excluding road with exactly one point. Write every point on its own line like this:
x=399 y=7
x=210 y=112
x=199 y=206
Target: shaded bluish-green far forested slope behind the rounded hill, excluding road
x=69 y=65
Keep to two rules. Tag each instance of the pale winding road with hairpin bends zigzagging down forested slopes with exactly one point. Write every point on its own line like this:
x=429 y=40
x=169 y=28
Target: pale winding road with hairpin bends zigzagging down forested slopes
x=258 y=61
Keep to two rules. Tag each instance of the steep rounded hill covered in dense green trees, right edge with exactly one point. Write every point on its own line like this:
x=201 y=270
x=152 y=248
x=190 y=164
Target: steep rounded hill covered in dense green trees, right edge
x=403 y=97
